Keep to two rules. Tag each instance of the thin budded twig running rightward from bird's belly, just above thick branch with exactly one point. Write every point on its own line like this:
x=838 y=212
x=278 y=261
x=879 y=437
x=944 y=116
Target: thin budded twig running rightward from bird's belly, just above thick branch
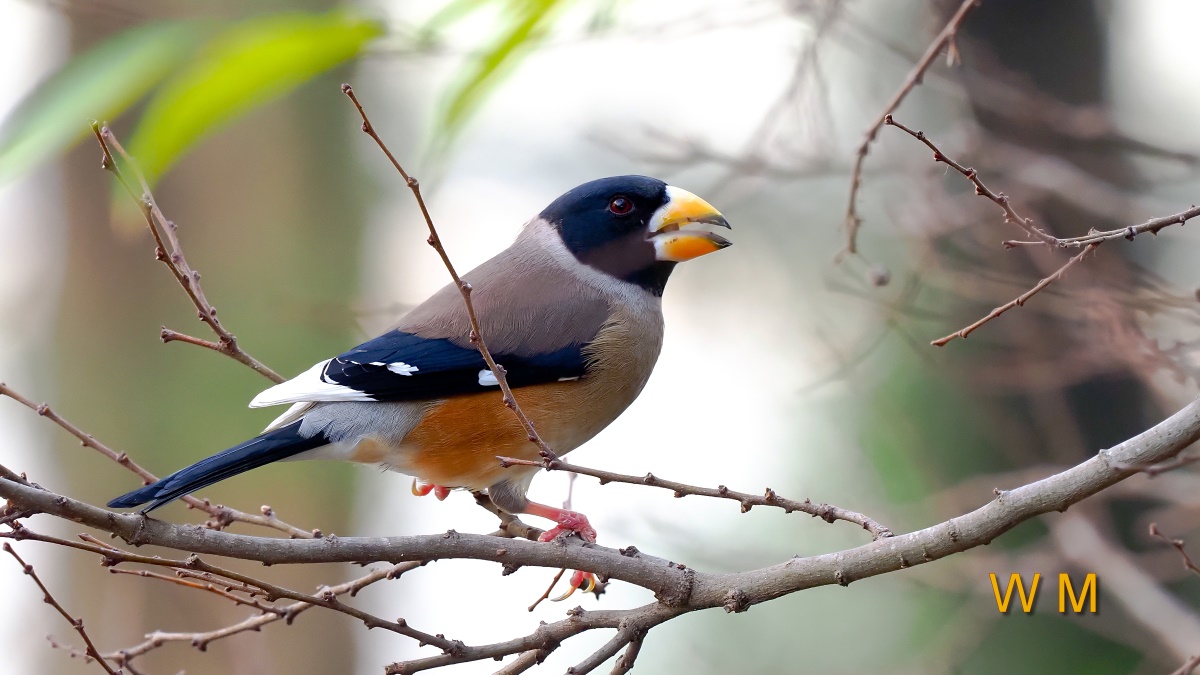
x=826 y=512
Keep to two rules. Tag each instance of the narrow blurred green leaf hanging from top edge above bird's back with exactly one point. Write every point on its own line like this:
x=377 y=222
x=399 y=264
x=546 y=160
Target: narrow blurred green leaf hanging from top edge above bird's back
x=531 y=21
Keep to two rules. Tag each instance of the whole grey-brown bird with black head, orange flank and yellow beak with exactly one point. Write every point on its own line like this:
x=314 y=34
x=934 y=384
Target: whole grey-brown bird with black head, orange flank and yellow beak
x=572 y=312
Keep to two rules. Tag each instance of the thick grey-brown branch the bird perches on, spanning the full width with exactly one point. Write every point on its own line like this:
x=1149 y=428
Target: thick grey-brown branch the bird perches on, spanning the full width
x=679 y=588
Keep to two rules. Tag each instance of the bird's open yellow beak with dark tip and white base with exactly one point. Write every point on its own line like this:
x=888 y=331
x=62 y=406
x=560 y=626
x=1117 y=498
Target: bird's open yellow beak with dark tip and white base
x=682 y=210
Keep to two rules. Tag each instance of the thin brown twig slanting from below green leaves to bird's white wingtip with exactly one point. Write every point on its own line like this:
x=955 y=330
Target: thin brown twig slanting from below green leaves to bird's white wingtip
x=171 y=253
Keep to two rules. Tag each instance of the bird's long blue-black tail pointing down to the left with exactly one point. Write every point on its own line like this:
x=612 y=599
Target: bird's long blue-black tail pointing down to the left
x=273 y=446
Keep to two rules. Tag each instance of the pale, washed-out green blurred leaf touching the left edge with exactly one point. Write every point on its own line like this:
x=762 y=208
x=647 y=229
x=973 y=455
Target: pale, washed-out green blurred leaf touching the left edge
x=99 y=85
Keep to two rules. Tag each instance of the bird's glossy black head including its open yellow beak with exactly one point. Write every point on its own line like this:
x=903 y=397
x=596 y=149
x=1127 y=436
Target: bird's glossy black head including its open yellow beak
x=628 y=226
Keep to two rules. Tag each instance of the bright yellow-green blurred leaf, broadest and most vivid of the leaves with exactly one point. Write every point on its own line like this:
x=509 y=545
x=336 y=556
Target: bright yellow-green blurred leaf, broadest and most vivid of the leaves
x=245 y=67
